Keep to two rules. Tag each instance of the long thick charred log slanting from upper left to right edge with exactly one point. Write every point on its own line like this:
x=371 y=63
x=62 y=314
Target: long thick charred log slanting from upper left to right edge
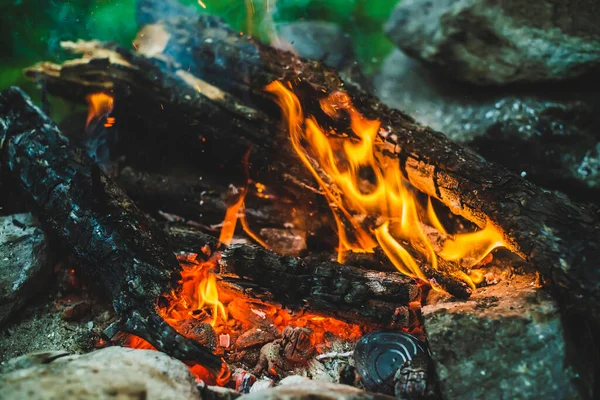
x=559 y=237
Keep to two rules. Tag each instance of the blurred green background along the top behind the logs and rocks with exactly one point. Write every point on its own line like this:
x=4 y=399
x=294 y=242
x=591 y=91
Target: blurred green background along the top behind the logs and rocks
x=31 y=30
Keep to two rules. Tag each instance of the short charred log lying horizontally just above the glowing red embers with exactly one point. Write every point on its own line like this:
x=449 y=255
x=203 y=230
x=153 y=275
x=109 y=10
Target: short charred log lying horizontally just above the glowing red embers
x=350 y=293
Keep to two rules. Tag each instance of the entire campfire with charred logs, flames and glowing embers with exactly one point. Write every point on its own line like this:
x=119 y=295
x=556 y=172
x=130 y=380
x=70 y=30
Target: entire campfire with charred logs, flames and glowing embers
x=248 y=212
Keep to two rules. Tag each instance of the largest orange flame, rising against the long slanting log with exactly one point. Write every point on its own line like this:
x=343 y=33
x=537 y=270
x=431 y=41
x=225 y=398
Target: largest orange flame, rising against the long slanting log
x=372 y=203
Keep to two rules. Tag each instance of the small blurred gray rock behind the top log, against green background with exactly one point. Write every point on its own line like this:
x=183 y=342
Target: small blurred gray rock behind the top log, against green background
x=318 y=40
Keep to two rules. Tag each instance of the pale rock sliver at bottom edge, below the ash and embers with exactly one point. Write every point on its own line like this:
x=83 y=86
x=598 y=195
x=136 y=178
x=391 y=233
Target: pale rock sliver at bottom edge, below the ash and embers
x=314 y=389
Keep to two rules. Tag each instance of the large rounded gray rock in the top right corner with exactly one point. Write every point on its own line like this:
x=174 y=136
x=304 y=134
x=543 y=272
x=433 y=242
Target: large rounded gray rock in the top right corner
x=492 y=42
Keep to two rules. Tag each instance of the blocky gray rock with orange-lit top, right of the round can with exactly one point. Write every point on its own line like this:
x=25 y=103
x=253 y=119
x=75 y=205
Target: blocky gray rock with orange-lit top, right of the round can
x=506 y=342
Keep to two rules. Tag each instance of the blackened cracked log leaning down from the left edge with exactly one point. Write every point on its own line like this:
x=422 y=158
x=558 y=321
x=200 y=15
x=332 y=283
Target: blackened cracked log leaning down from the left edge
x=117 y=246
